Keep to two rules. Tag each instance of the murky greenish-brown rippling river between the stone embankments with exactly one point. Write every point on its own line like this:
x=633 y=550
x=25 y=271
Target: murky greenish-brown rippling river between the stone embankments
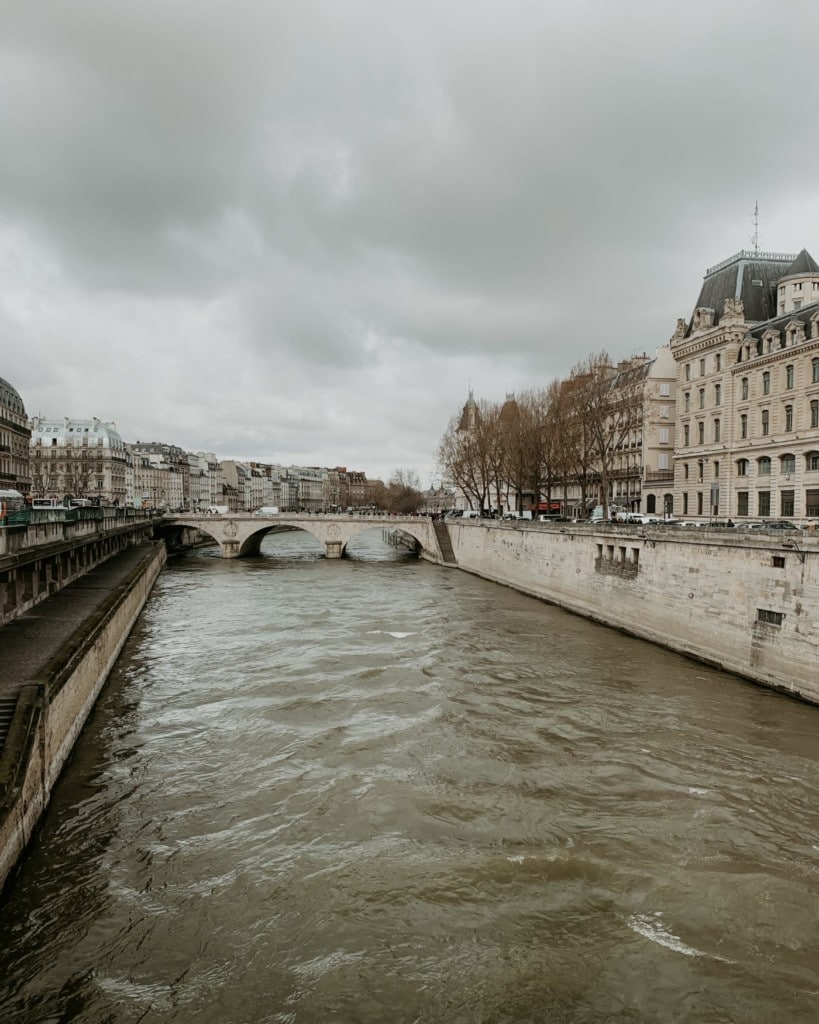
x=380 y=792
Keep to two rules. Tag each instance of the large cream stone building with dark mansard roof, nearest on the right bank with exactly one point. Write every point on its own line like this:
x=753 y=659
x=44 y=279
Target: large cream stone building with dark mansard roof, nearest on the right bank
x=748 y=380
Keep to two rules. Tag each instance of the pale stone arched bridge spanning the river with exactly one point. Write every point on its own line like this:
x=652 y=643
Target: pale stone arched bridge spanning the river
x=240 y=534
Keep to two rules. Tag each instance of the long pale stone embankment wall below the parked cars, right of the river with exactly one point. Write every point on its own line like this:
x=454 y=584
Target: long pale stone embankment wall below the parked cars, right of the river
x=743 y=604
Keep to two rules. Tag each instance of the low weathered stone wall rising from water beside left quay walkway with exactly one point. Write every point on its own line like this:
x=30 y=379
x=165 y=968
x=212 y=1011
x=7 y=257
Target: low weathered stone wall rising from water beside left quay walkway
x=51 y=713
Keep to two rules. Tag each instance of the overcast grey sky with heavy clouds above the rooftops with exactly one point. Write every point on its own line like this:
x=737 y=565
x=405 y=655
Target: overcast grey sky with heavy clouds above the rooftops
x=299 y=232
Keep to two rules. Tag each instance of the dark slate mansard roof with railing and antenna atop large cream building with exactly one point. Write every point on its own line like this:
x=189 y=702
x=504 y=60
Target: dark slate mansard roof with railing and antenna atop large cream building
x=749 y=276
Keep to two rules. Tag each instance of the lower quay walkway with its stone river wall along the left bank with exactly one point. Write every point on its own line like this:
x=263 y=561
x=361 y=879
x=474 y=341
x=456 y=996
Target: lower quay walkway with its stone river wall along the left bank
x=51 y=709
